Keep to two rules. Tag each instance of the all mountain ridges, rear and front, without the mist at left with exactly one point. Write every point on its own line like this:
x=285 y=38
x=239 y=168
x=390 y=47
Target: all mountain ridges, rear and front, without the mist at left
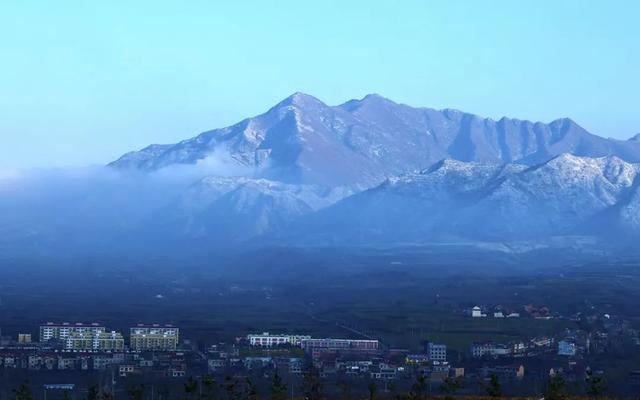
x=431 y=175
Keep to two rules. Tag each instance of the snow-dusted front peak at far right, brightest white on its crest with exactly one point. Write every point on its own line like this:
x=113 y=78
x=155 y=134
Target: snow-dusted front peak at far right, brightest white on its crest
x=560 y=196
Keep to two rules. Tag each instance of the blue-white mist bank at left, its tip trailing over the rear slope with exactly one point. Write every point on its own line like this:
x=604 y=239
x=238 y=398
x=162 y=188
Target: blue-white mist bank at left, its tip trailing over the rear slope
x=85 y=208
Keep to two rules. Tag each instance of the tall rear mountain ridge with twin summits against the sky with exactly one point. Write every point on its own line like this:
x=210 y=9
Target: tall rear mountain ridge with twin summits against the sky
x=302 y=140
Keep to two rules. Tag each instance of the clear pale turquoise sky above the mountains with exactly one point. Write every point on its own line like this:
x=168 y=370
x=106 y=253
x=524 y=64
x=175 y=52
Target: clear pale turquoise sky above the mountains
x=82 y=82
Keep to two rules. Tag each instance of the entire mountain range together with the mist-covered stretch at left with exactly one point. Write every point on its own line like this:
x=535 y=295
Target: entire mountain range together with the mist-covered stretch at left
x=365 y=172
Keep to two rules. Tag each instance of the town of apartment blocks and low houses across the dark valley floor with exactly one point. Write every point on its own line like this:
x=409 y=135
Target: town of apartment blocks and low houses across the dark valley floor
x=149 y=355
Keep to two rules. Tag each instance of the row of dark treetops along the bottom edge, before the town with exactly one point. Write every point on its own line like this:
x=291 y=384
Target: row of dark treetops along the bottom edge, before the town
x=312 y=387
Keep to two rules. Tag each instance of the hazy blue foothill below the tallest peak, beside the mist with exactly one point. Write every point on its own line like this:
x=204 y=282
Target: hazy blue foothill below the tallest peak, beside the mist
x=231 y=209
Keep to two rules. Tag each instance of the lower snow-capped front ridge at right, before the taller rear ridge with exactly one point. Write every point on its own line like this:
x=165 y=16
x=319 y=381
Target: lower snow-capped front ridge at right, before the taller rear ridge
x=567 y=195
